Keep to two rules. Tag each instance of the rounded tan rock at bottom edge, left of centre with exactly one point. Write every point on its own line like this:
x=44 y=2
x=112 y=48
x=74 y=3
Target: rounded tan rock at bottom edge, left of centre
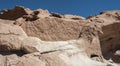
x=30 y=60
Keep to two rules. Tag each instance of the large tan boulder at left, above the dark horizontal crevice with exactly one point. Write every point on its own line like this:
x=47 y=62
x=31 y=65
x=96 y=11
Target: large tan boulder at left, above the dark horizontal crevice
x=13 y=39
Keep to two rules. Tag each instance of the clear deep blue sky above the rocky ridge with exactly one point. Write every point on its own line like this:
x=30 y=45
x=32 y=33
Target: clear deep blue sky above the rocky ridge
x=77 y=7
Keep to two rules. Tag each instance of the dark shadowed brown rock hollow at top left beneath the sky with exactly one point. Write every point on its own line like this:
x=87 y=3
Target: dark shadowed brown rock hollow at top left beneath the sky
x=13 y=14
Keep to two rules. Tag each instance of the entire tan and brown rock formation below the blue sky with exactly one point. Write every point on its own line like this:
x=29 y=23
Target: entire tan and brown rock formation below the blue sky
x=40 y=38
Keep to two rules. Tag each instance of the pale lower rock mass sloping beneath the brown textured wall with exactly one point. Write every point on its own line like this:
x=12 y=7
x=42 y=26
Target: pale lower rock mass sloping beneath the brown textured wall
x=17 y=49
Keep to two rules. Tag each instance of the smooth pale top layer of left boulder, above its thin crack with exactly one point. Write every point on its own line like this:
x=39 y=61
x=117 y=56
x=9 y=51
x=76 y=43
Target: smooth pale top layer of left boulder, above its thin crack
x=11 y=30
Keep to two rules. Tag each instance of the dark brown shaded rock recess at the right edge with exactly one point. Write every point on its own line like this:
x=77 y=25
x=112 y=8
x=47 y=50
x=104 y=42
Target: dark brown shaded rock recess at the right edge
x=110 y=42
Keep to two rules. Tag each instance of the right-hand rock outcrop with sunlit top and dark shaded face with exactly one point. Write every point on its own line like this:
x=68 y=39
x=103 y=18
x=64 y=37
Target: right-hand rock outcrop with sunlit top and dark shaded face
x=110 y=37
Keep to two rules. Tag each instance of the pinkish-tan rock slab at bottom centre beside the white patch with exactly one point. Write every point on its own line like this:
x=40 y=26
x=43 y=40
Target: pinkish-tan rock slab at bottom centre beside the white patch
x=53 y=59
